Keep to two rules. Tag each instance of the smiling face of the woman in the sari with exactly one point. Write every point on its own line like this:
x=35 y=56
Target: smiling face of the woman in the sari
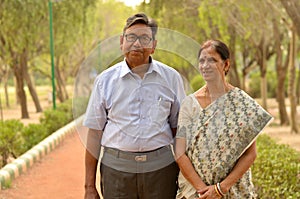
x=211 y=65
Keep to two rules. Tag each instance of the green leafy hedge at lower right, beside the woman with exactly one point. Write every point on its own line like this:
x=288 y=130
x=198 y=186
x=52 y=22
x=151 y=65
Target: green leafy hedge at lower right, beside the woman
x=276 y=170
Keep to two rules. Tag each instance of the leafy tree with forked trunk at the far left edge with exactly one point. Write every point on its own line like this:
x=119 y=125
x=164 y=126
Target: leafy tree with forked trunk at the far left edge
x=19 y=47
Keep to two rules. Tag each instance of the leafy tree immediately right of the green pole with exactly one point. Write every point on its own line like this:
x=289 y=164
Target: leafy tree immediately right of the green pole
x=70 y=27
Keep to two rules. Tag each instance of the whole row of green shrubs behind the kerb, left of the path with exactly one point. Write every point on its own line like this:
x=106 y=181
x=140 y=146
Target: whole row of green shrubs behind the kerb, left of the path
x=15 y=138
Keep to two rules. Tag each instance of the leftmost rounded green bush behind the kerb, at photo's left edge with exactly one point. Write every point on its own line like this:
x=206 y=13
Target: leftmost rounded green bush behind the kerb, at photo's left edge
x=10 y=139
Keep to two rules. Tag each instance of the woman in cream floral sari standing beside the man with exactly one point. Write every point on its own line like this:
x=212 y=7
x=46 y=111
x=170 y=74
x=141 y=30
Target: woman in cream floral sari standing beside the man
x=217 y=128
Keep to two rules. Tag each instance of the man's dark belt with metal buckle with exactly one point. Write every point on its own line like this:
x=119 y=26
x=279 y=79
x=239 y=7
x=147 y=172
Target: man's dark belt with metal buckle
x=137 y=156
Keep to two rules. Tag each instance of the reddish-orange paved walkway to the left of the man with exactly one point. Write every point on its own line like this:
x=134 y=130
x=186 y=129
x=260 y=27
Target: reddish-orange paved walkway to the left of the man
x=58 y=175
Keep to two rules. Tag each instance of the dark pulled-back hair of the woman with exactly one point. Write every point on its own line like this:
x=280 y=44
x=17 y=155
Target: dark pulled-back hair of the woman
x=220 y=47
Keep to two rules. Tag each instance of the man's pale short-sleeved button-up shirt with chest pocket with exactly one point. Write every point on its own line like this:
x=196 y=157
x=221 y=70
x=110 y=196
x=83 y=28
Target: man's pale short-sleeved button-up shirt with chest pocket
x=135 y=114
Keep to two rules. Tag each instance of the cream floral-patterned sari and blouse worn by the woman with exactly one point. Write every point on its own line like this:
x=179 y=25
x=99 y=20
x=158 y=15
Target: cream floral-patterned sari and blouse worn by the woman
x=216 y=137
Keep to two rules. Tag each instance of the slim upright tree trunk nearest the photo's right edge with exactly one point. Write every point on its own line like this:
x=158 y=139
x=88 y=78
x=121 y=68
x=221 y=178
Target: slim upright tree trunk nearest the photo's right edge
x=292 y=77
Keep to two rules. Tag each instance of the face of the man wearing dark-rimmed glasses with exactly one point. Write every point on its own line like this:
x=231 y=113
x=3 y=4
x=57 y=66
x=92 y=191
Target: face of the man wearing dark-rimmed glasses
x=137 y=45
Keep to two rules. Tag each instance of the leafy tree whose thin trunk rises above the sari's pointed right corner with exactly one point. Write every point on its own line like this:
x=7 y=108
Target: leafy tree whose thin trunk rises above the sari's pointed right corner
x=259 y=39
